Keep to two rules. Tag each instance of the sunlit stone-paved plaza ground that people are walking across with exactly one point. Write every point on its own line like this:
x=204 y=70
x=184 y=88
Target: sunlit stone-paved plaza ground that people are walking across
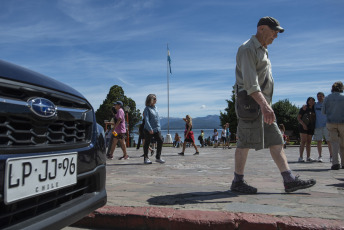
x=202 y=183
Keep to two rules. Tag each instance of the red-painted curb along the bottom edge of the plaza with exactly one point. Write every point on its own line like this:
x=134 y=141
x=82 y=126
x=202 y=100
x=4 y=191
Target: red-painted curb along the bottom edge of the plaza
x=169 y=218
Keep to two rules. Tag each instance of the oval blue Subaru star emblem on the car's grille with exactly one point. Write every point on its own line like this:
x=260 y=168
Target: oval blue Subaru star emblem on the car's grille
x=42 y=107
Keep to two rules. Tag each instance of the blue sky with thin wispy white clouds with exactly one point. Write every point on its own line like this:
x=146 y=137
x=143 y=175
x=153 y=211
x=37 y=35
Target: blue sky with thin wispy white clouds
x=95 y=44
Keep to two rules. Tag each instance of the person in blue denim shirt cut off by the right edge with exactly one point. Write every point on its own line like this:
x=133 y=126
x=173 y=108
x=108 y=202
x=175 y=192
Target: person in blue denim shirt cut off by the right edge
x=333 y=108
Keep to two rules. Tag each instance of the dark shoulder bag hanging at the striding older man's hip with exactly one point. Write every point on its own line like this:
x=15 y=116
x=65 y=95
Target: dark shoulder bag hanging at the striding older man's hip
x=247 y=108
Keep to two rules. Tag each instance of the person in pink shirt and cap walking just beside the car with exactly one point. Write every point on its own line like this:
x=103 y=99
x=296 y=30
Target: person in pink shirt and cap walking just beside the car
x=120 y=131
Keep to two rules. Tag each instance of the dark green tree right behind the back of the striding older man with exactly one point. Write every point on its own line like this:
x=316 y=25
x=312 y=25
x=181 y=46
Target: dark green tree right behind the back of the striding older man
x=229 y=116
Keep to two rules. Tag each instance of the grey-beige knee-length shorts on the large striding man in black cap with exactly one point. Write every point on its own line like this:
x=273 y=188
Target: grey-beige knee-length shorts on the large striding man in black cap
x=257 y=134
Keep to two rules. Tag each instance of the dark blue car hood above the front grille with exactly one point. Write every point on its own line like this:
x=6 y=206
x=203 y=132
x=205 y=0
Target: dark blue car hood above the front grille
x=18 y=73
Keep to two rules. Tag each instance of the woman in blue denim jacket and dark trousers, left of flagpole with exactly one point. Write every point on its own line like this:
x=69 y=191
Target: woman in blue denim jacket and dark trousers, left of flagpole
x=152 y=129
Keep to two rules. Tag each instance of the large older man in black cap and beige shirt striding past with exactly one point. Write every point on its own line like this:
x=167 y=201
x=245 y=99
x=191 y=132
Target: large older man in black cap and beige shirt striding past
x=253 y=75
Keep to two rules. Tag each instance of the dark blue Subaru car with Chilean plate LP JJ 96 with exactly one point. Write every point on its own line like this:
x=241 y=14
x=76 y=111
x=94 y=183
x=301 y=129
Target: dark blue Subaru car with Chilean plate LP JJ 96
x=52 y=152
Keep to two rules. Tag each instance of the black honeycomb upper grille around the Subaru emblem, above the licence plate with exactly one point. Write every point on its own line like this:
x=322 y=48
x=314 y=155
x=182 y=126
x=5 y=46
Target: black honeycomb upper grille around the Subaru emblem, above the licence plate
x=21 y=128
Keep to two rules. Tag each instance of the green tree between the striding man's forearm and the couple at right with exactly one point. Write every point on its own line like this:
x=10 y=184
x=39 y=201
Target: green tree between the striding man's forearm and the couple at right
x=286 y=114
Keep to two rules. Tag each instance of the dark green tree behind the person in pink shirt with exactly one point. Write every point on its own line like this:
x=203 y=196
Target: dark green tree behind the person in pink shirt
x=116 y=93
